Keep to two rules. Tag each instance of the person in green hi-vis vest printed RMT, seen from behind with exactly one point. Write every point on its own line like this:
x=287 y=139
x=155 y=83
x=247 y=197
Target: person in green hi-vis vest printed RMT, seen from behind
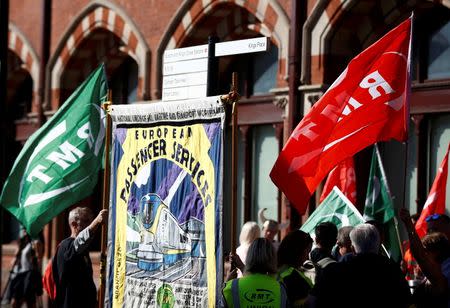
x=258 y=286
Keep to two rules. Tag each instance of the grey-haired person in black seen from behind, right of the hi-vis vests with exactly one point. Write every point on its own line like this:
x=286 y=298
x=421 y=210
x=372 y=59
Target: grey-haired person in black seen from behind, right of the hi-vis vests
x=373 y=280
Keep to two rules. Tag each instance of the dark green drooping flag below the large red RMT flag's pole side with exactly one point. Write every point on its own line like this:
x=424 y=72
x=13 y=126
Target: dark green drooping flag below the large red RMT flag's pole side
x=380 y=207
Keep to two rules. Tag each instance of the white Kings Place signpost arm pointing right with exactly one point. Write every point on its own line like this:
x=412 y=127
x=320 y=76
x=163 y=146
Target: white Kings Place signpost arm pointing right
x=242 y=46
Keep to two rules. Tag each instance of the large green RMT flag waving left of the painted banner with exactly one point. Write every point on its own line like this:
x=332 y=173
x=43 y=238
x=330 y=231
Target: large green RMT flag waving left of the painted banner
x=59 y=164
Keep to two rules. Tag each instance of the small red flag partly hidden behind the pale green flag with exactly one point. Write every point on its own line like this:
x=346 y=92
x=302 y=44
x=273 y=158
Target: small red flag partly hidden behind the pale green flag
x=343 y=176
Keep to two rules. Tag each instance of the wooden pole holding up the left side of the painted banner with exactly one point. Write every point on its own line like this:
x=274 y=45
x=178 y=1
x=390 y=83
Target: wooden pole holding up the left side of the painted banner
x=105 y=201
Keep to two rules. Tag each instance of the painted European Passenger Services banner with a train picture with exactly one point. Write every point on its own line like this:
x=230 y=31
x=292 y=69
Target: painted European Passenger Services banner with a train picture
x=166 y=204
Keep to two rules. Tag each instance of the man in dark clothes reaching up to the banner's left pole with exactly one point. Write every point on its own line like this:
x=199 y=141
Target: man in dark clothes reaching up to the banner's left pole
x=71 y=266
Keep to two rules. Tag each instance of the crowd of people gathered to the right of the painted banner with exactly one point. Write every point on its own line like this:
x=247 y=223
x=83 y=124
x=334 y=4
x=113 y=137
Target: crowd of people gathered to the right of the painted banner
x=339 y=268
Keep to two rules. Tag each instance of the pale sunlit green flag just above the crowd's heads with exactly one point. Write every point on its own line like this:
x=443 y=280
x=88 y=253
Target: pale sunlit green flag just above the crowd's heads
x=337 y=209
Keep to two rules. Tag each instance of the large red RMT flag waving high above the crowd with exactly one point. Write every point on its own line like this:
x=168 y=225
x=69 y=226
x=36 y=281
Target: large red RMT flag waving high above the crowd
x=366 y=104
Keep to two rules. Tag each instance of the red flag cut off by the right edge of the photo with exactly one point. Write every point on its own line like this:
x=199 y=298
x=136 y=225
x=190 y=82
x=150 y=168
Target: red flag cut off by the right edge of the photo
x=435 y=203
